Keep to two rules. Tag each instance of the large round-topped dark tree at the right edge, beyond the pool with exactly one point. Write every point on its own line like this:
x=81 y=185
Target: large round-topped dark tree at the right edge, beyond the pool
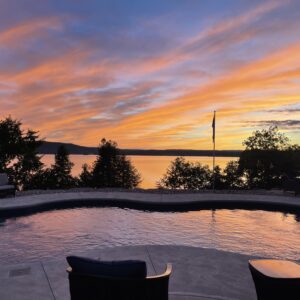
x=268 y=155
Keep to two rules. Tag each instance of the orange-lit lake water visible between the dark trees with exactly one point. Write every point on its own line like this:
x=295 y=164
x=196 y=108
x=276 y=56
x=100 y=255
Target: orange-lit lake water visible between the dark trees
x=151 y=168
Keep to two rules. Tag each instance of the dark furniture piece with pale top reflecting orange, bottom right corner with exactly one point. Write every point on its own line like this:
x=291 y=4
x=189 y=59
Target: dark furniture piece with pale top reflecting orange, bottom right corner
x=276 y=279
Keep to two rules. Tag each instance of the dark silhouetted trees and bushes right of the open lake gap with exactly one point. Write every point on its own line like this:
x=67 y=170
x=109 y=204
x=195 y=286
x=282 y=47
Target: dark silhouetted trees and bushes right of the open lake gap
x=268 y=159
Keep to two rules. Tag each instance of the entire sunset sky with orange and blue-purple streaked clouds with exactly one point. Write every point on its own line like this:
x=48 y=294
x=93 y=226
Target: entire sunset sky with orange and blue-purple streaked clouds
x=149 y=74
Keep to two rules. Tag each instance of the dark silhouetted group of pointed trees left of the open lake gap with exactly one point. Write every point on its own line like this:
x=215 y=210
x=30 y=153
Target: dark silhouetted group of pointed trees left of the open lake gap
x=19 y=158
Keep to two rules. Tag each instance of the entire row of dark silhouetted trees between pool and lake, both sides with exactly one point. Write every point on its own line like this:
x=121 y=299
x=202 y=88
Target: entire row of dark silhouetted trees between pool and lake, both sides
x=267 y=159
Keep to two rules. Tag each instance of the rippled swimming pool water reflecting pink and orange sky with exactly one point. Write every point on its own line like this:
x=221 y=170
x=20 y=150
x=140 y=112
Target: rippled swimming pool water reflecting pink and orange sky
x=58 y=233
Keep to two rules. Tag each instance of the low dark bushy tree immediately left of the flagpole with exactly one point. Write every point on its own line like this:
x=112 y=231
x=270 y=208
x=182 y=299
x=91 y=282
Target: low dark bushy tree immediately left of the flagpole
x=182 y=174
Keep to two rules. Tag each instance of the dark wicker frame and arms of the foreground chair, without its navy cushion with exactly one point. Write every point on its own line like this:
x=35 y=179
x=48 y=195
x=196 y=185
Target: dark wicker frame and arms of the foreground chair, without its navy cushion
x=95 y=287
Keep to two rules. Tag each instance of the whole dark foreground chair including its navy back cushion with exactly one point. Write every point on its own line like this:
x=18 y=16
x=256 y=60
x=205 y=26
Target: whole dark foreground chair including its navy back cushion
x=92 y=286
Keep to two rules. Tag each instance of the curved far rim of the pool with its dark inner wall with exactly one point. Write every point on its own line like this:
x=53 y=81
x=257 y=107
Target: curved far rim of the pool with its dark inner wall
x=24 y=205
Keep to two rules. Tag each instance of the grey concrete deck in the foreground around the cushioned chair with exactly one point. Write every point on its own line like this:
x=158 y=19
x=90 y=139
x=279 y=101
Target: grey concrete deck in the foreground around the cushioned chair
x=198 y=274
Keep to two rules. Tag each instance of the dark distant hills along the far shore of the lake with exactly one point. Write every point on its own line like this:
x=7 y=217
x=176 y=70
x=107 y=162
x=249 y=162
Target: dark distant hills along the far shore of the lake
x=51 y=148
